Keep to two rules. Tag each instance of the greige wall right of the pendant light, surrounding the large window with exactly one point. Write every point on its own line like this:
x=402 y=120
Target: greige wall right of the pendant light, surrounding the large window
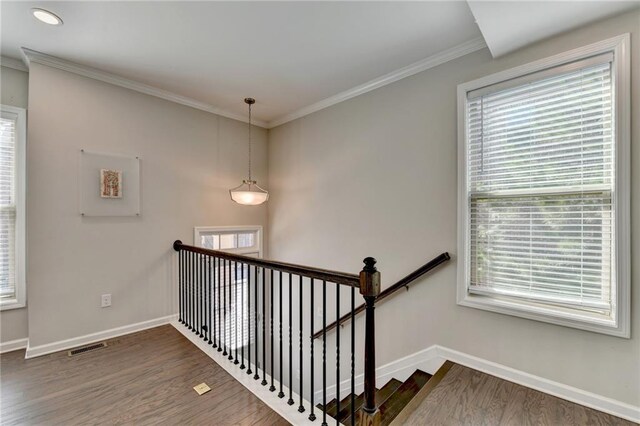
x=376 y=176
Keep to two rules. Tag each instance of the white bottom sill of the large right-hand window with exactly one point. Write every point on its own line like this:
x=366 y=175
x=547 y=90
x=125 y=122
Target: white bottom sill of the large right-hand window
x=587 y=321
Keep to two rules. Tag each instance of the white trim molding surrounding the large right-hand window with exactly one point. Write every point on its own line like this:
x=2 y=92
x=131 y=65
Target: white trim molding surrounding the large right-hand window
x=619 y=45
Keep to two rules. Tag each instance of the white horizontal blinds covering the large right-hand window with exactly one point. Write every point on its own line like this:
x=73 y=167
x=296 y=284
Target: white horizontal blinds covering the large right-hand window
x=541 y=181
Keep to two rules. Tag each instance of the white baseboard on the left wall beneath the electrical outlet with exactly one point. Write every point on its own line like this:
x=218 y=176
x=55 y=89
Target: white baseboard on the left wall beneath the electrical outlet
x=34 y=351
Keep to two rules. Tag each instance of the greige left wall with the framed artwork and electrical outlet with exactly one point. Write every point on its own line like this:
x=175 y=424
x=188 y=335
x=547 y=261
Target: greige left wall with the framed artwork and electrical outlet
x=190 y=159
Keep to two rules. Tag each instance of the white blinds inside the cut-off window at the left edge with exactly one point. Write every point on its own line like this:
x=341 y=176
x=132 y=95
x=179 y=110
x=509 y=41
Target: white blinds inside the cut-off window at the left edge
x=7 y=206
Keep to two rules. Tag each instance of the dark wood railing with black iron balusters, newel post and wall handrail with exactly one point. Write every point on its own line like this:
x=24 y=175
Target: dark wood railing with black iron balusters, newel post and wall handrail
x=230 y=301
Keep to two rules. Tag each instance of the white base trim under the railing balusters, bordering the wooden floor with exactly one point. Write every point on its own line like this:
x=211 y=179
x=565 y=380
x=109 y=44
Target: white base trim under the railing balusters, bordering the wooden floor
x=279 y=405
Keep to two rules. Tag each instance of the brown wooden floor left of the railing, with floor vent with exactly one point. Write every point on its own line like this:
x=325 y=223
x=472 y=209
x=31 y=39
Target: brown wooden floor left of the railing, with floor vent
x=143 y=378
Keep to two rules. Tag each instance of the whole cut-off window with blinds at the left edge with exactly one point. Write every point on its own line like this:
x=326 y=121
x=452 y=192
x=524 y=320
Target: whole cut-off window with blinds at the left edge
x=11 y=207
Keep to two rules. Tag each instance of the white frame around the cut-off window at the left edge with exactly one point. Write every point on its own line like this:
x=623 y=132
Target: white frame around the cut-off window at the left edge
x=20 y=299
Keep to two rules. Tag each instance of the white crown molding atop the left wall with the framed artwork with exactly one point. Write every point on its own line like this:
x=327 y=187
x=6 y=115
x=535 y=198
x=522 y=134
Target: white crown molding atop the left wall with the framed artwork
x=30 y=56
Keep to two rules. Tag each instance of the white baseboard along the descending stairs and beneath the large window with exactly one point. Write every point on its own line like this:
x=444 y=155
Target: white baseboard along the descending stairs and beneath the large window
x=432 y=358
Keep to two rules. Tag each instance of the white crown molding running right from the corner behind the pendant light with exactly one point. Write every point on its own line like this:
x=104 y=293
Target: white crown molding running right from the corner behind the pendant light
x=415 y=68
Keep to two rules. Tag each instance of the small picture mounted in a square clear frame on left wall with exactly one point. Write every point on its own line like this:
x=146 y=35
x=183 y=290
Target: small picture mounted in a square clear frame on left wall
x=108 y=184
